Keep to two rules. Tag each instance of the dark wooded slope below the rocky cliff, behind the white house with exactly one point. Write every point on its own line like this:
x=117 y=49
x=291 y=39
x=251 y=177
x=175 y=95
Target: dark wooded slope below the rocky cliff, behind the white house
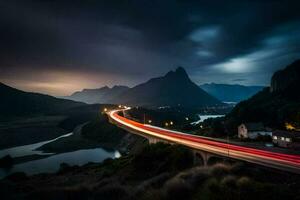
x=273 y=109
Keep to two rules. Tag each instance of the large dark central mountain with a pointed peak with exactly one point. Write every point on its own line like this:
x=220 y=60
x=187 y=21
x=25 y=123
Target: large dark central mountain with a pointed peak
x=173 y=89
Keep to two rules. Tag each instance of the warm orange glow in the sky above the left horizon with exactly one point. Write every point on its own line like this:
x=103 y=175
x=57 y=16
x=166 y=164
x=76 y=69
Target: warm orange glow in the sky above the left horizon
x=57 y=83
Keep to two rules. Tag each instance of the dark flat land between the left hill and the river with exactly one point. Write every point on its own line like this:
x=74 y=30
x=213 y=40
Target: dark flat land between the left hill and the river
x=28 y=130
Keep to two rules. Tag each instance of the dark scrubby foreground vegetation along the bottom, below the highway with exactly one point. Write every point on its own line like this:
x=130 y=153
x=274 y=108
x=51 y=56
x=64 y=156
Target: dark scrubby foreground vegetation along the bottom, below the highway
x=158 y=171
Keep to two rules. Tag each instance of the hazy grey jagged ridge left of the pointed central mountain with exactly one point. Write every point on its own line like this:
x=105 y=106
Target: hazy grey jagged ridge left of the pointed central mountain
x=100 y=95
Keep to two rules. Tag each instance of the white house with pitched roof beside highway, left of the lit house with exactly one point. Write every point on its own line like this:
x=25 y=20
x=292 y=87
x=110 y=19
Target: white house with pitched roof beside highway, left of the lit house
x=252 y=130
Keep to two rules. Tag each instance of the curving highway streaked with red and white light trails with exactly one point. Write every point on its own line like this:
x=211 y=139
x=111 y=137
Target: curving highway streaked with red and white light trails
x=276 y=160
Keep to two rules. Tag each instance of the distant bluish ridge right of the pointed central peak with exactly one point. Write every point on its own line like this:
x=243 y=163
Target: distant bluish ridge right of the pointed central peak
x=230 y=93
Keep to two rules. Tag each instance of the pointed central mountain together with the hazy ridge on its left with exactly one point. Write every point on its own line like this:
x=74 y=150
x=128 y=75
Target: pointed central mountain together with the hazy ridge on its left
x=173 y=89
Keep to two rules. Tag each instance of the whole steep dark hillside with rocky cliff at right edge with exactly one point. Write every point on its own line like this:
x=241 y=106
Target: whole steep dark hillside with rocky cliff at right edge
x=275 y=105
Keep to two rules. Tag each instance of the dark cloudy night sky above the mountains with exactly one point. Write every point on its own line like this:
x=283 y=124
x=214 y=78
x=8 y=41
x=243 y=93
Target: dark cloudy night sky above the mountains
x=57 y=47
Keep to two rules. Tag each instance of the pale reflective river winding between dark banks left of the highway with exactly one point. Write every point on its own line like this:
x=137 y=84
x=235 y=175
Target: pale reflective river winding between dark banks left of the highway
x=53 y=161
